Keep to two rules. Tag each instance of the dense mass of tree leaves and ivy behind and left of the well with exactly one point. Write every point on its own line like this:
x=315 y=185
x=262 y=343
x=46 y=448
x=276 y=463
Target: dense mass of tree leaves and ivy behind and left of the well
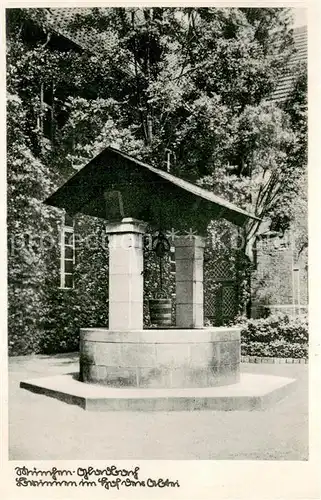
x=187 y=82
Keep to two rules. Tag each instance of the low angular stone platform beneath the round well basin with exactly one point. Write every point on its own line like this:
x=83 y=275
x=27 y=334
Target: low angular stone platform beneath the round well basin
x=252 y=392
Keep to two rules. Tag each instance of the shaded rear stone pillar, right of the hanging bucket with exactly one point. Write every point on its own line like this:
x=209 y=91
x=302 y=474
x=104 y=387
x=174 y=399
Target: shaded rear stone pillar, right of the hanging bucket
x=189 y=256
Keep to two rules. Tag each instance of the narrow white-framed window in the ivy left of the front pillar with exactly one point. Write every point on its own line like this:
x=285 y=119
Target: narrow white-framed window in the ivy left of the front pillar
x=67 y=256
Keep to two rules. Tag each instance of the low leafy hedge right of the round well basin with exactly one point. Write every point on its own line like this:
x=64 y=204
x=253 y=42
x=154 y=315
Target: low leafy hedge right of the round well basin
x=275 y=336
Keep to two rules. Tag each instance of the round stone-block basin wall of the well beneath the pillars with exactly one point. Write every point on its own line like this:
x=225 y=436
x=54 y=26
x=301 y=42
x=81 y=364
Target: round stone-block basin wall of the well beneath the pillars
x=160 y=358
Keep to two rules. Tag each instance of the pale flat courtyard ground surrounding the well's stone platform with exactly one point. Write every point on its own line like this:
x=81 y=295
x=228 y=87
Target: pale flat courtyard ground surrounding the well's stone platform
x=42 y=428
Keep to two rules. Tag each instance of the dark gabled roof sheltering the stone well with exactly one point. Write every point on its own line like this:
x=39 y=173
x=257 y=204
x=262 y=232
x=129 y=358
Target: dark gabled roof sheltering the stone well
x=148 y=193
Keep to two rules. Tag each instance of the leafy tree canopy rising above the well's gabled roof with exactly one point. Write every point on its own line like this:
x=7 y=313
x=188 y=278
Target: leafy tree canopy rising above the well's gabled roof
x=192 y=81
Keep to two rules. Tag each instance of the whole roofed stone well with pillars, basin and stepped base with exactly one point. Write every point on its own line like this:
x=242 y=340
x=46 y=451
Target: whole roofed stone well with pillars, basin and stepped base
x=126 y=367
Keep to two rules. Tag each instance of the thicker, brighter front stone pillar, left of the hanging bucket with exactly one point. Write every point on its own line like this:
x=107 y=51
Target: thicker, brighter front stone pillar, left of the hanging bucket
x=126 y=281
